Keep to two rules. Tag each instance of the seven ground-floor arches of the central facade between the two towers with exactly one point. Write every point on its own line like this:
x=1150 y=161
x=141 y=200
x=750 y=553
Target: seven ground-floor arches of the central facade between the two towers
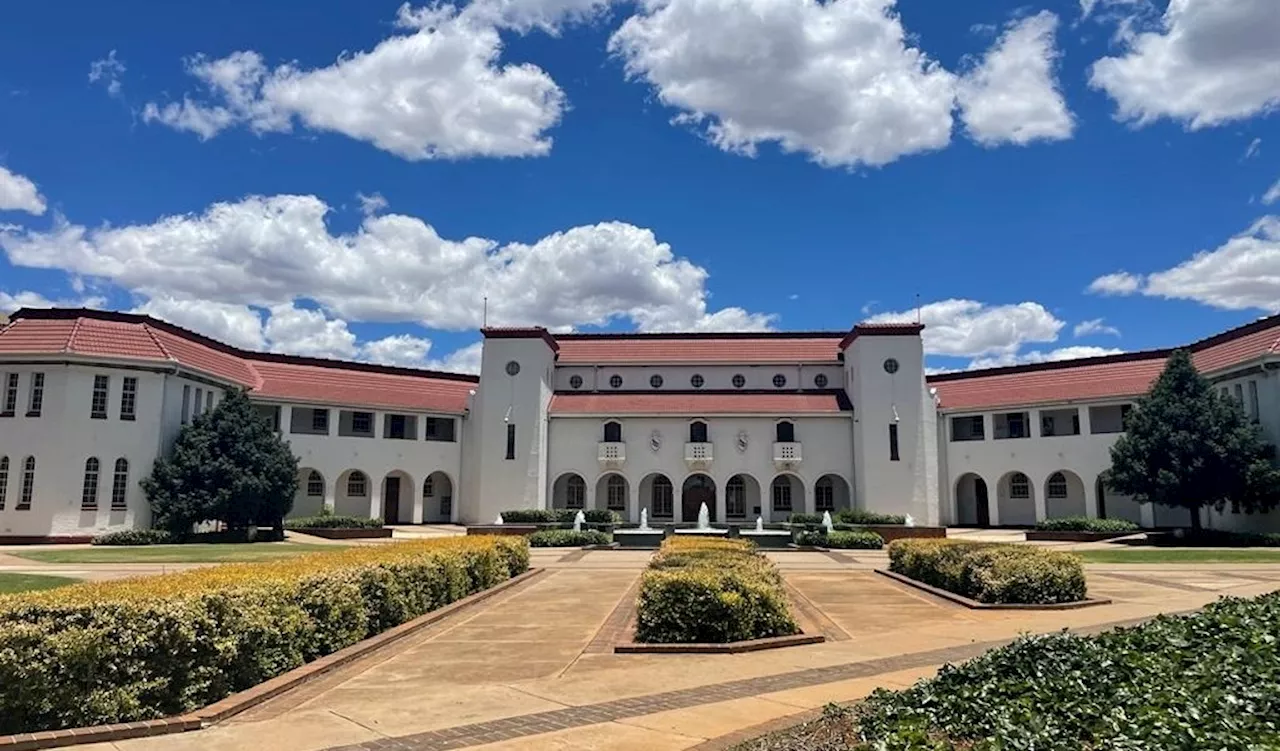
x=740 y=497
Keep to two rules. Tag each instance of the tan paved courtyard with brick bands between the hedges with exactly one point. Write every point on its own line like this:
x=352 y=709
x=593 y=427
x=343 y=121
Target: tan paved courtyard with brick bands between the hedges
x=533 y=667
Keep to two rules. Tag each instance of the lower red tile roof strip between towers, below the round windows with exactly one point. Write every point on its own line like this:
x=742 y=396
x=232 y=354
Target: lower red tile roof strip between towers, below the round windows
x=701 y=404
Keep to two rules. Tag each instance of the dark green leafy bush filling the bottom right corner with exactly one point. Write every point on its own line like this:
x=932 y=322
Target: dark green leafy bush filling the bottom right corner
x=1204 y=681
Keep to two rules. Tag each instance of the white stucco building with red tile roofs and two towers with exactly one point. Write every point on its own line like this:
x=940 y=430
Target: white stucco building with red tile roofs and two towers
x=749 y=424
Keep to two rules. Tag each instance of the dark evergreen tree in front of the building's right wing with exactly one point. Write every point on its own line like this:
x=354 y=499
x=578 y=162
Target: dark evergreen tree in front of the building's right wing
x=1188 y=447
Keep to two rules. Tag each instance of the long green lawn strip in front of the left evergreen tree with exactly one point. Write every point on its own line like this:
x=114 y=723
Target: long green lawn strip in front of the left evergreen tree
x=193 y=553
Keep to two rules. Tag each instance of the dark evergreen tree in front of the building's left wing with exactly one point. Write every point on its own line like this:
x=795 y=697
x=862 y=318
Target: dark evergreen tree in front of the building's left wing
x=227 y=466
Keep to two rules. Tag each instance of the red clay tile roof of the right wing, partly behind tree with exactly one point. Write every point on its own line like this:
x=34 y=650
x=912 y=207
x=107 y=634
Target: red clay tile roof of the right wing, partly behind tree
x=1100 y=378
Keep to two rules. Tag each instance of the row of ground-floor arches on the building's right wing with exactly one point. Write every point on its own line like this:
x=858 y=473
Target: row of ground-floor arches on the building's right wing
x=1022 y=502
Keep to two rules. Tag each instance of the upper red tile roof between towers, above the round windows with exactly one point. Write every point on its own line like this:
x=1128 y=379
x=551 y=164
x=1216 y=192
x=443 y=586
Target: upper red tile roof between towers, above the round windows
x=698 y=349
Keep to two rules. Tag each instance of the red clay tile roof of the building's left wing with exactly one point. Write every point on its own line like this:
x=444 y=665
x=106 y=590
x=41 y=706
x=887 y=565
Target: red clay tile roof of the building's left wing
x=299 y=379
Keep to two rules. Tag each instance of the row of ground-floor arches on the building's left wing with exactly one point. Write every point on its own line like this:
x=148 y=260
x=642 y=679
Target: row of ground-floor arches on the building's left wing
x=395 y=497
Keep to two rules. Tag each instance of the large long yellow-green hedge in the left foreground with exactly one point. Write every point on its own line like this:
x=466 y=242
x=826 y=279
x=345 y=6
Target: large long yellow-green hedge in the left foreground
x=154 y=647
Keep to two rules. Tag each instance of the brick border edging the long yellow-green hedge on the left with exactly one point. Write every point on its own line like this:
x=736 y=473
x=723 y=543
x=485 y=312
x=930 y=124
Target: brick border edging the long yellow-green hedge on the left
x=255 y=695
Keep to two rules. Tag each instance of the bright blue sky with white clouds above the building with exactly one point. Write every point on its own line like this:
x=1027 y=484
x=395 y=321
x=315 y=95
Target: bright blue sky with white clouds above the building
x=678 y=164
